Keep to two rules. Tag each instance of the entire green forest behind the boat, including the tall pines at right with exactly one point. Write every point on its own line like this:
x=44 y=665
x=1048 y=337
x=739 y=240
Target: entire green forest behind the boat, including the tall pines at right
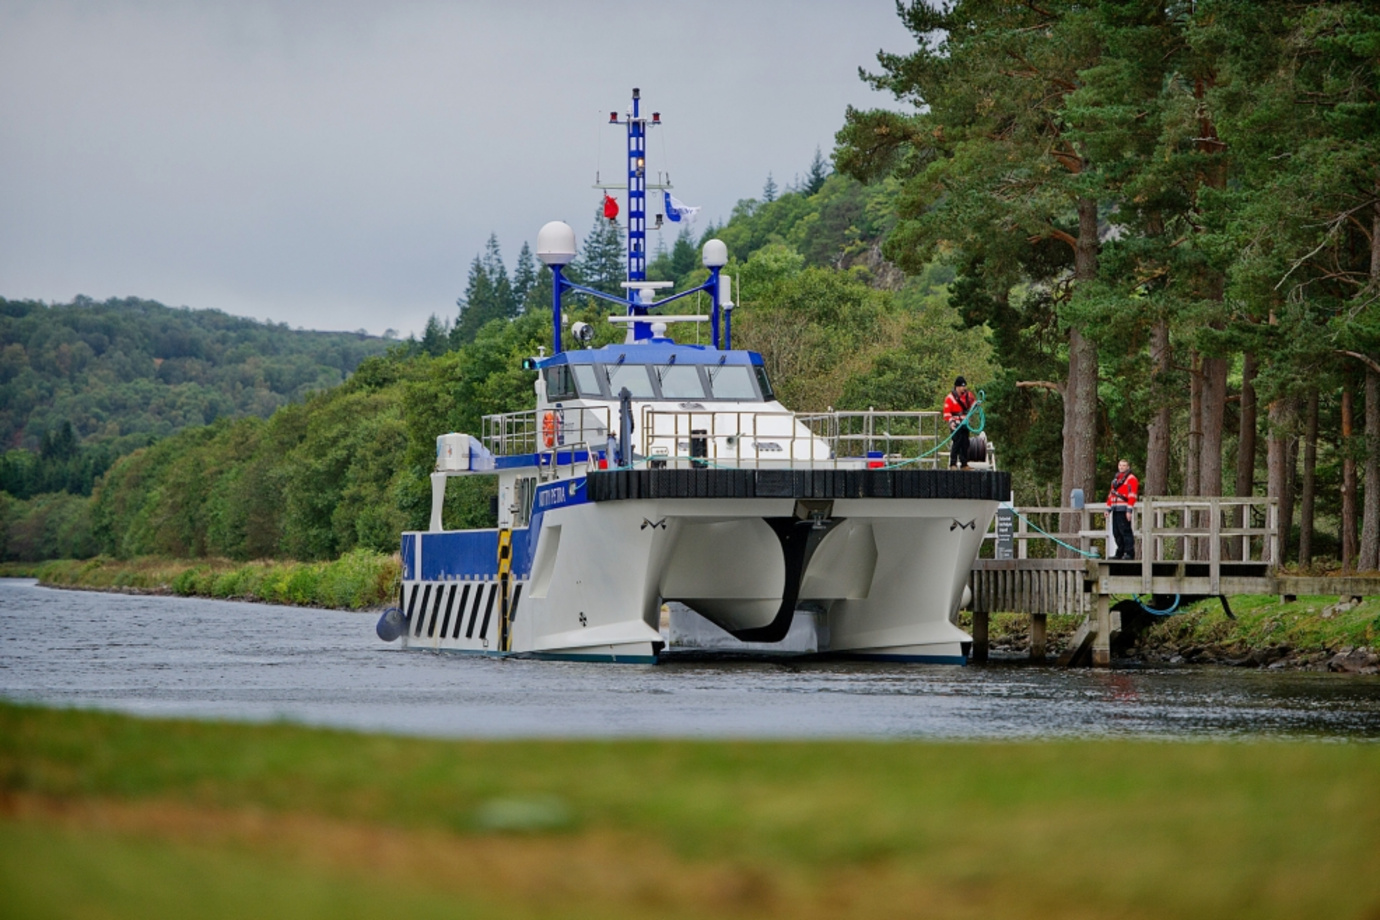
x=1149 y=231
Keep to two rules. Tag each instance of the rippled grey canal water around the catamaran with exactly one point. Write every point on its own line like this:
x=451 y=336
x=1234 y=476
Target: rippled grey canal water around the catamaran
x=259 y=663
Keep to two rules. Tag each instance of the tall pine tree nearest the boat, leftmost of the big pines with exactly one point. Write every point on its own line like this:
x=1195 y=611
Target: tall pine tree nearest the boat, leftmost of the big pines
x=1005 y=169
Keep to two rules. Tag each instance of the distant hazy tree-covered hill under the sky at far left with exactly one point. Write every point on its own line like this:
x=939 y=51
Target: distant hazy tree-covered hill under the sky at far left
x=103 y=379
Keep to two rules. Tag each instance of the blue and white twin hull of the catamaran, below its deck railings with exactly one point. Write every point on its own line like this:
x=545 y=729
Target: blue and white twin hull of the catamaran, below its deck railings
x=881 y=558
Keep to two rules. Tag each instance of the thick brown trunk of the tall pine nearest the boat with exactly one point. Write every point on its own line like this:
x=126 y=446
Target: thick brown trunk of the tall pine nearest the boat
x=1081 y=394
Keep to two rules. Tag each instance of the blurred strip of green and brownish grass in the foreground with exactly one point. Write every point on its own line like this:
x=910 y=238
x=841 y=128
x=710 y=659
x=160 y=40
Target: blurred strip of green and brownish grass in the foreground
x=118 y=817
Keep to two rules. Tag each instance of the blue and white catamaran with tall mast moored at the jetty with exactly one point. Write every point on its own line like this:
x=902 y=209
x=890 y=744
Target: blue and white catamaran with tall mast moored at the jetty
x=658 y=475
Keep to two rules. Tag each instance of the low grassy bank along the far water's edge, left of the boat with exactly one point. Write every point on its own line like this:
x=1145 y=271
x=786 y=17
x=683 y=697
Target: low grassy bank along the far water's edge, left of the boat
x=354 y=581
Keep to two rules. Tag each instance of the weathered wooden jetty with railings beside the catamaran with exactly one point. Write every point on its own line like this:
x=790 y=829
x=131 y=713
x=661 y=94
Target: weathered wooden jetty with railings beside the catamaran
x=1187 y=548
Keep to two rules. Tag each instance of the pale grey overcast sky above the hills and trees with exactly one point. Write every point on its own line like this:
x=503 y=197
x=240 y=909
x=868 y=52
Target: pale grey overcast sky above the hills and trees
x=340 y=165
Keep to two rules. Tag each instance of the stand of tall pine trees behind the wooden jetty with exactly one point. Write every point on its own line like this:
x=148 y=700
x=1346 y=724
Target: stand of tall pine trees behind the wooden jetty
x=1170 y=219
